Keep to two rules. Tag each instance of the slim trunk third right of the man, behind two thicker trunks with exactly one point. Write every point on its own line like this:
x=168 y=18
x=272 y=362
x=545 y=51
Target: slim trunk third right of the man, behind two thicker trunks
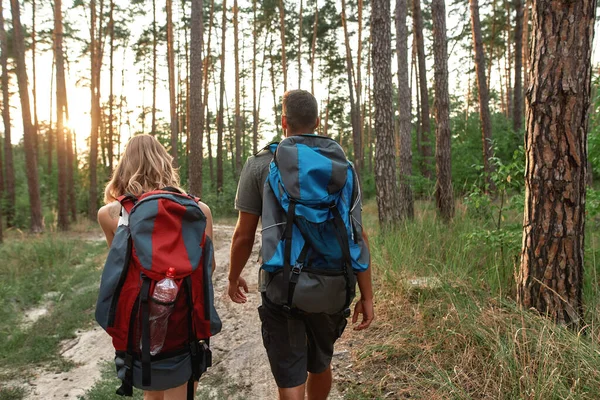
x=425 y=145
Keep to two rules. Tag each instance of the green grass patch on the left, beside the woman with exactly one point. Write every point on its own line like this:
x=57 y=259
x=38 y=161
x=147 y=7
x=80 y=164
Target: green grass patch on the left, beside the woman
x=57 y=272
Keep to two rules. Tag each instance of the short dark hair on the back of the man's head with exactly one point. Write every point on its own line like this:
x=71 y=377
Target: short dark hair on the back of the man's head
x=300 y=109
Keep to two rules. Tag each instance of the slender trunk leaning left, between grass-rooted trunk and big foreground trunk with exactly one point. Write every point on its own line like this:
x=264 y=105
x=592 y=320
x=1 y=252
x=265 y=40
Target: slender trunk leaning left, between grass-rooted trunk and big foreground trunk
x=484 y=97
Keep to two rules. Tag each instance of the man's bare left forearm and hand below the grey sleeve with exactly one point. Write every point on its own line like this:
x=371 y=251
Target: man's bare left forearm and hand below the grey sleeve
x=241 y=249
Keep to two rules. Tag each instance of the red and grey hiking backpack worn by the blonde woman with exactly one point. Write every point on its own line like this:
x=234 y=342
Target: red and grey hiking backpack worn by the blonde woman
x=166 y=229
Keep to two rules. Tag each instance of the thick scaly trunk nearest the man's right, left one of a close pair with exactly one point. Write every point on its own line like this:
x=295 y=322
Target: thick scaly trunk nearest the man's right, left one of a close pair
x=385 y=163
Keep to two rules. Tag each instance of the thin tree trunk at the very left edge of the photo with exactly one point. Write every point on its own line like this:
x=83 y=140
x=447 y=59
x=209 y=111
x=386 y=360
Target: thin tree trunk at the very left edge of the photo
x=8 y=153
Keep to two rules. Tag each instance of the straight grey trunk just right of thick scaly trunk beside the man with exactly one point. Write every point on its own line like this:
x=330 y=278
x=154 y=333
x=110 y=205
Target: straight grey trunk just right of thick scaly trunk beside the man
x=405 y=200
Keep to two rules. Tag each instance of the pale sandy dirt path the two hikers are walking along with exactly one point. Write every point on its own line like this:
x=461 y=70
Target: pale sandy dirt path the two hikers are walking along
x=83 y=366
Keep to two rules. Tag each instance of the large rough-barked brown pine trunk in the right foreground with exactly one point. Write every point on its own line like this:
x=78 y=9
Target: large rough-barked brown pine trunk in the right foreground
x=551 y=274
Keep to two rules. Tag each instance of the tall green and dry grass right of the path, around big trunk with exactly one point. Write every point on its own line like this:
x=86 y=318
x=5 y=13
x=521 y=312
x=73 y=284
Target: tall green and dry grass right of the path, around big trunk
x=467 y=339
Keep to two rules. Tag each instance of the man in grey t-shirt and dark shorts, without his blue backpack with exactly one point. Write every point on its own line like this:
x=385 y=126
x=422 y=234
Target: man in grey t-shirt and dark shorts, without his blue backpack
x=300 y=357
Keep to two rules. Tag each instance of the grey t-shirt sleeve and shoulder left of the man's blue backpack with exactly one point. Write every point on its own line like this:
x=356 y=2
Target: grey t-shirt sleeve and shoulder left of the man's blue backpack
x=252 y=180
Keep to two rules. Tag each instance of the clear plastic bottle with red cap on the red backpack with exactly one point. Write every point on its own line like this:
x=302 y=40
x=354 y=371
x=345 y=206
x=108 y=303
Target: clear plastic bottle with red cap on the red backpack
x=165 y=293
